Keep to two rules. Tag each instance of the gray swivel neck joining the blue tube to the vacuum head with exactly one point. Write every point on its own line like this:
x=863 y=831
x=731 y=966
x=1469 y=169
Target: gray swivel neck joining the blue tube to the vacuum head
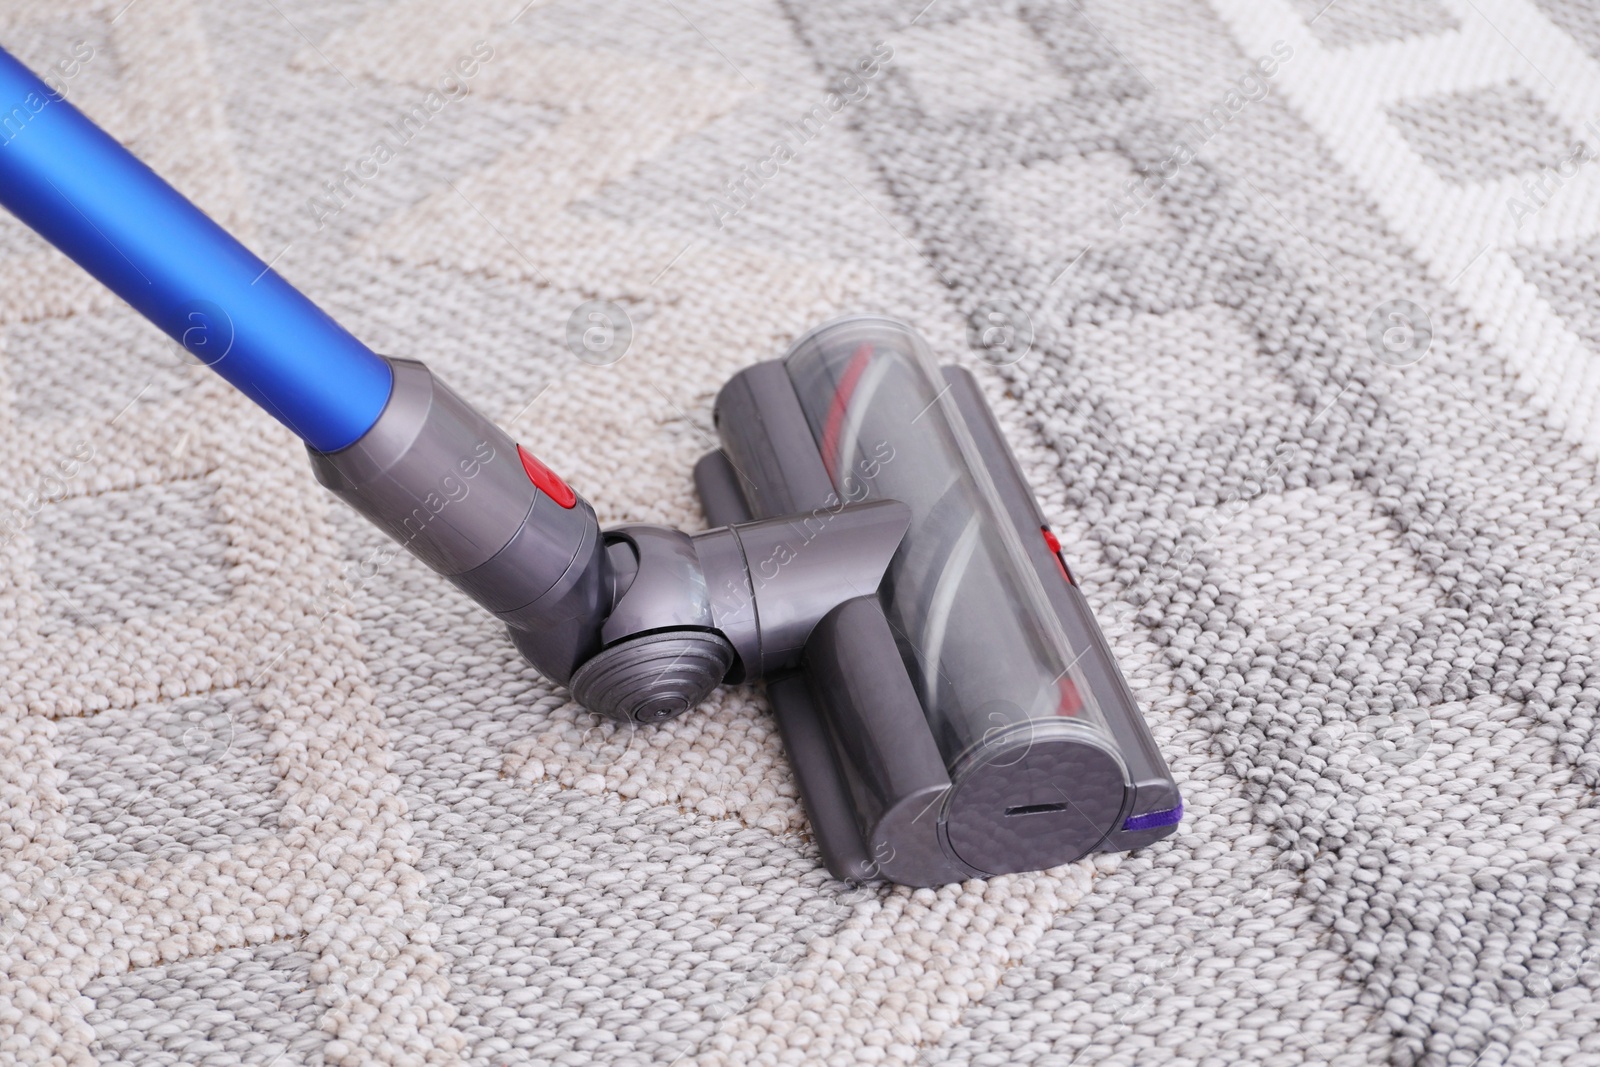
x=641 y=621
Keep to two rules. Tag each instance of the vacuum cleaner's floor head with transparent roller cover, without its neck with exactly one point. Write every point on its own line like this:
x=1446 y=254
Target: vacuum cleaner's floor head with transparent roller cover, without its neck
x=966 y=717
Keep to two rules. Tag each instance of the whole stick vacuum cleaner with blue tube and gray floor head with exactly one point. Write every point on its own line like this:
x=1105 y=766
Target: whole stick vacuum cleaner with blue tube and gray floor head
x=948 y=703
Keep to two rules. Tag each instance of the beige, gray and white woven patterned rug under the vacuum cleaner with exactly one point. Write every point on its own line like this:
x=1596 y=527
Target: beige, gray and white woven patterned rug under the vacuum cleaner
x=1311 y=396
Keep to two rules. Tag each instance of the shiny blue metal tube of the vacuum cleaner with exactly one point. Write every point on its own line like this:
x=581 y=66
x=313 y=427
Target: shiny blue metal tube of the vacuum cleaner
x=94 y=201
